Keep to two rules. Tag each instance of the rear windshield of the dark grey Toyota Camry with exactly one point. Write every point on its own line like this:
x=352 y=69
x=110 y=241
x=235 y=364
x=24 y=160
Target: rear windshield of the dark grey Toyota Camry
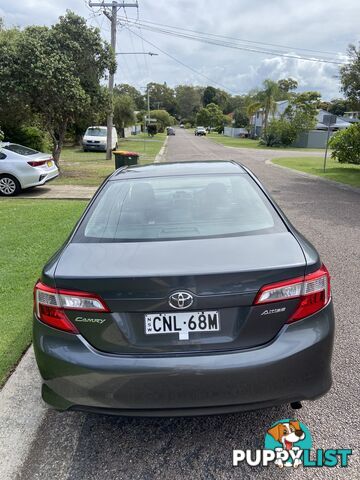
x=179 y=207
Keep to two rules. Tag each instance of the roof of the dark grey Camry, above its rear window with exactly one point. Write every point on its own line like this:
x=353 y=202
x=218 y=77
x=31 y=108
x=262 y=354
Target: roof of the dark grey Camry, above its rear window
x=179 y=168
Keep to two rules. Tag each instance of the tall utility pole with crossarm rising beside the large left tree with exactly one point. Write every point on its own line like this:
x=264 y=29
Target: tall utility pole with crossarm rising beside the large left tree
x=110 y=11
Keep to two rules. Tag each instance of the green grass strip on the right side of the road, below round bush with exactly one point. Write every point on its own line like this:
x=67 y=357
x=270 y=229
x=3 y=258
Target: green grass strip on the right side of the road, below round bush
x=340 y=172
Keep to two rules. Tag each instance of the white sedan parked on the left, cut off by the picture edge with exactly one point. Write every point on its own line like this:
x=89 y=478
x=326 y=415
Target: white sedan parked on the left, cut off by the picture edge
x=22 y=167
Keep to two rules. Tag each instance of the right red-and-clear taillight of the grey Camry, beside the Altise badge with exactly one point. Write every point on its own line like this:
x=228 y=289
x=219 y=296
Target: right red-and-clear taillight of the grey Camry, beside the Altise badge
x=313 y=292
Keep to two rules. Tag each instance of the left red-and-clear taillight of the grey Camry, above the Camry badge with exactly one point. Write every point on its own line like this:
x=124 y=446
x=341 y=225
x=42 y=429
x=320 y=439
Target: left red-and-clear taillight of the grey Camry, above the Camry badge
x=50 y=305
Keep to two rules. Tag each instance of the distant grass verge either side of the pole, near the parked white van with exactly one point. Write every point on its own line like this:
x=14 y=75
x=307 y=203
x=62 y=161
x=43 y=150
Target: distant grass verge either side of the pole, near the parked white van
x=91 y=168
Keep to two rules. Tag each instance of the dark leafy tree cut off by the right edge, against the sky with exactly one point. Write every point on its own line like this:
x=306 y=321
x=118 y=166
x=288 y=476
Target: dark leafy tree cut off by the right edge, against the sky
x=350 y=76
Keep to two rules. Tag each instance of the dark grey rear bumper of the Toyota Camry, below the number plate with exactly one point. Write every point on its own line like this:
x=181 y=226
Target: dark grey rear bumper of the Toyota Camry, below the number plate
x=294 y=366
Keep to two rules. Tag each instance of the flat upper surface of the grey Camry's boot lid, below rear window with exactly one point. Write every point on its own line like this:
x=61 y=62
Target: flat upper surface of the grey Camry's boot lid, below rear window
x=187 y=257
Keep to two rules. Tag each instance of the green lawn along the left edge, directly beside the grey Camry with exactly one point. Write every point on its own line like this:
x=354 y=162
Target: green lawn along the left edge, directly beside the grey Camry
x=30 y=232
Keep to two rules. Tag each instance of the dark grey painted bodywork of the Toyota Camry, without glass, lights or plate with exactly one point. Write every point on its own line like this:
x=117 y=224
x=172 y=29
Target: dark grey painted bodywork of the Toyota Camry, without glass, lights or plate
x=250 y=361
